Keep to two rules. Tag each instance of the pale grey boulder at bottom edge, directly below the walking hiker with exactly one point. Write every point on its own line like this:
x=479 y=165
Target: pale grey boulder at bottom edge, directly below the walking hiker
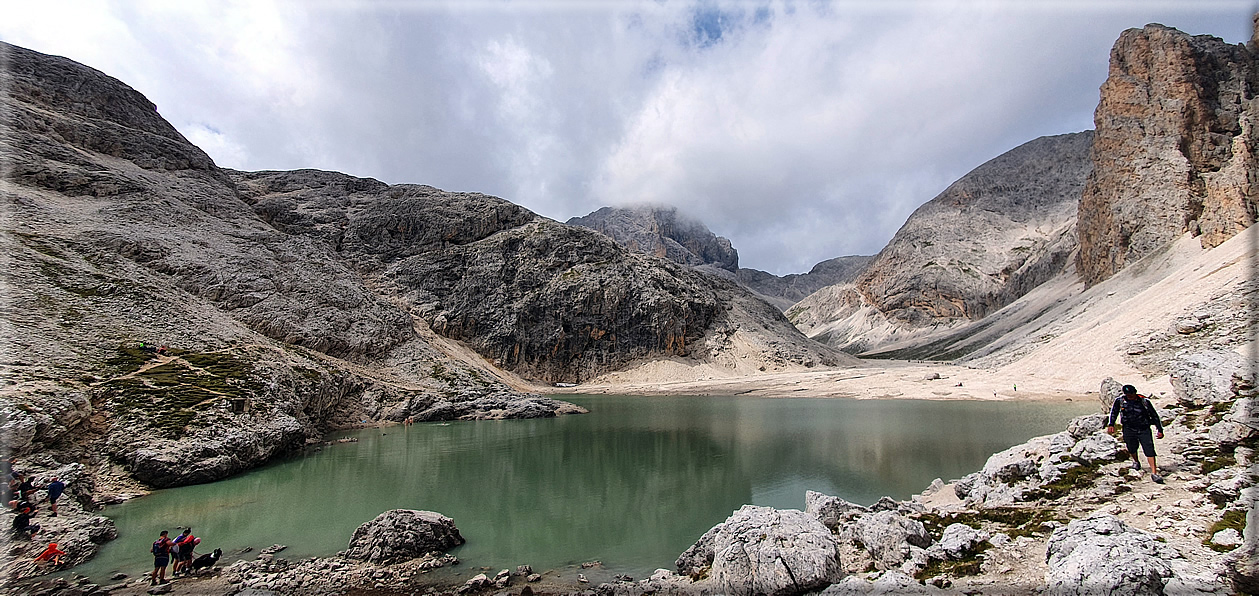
x=1104 y=555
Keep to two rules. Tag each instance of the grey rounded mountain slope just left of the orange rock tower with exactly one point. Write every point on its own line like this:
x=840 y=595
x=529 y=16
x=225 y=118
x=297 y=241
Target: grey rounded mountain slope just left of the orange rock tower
x=993 y=236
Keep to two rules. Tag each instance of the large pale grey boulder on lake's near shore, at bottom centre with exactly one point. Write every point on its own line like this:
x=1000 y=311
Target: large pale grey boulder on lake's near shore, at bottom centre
x=764 y=551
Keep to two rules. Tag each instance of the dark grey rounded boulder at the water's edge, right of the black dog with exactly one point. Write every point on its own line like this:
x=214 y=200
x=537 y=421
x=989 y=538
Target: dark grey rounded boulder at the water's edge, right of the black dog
x=404 y=535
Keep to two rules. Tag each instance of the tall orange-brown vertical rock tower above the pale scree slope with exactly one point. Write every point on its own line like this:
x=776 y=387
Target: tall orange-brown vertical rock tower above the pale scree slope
x=1174 y=152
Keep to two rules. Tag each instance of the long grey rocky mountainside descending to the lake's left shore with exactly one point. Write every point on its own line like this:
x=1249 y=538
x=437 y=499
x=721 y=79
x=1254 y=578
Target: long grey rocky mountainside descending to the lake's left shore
x=293 y=303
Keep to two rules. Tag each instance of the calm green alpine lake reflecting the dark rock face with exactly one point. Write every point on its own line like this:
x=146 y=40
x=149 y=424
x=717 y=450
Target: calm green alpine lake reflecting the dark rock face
x=631 y=484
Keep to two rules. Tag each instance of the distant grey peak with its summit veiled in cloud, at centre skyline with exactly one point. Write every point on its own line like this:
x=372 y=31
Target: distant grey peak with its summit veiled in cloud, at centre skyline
x=660 y=231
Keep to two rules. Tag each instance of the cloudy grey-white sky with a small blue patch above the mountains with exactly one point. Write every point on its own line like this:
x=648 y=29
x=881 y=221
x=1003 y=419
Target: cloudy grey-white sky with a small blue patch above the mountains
x=800 y=130
